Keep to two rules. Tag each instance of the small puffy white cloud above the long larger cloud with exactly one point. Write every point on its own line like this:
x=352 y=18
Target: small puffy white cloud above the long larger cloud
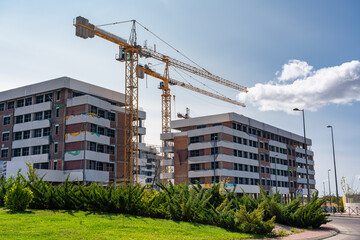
x=294 y=69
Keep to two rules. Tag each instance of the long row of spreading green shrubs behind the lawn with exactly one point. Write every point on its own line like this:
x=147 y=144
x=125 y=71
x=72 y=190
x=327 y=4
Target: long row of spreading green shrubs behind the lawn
x=193 y=204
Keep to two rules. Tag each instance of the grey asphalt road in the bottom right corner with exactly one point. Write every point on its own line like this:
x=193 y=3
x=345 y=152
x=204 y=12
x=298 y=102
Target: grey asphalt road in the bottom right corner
x=349 y=228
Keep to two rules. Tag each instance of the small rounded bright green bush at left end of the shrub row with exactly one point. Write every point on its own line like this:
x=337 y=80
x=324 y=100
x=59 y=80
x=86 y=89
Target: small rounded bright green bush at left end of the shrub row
x=18 y=197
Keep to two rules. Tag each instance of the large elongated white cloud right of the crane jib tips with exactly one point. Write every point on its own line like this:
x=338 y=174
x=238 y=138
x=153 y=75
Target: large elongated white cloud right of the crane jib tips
x=311 y=90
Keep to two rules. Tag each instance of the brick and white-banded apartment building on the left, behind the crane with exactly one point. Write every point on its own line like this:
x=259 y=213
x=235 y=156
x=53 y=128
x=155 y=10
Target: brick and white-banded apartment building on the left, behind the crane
x=67 y=127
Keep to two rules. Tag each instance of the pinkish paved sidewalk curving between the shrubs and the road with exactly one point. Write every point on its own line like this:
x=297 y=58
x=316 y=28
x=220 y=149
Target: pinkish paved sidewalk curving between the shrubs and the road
x=325 y=231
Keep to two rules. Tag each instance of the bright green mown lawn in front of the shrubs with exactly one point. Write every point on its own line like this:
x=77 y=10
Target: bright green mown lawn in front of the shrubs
x=46 y=224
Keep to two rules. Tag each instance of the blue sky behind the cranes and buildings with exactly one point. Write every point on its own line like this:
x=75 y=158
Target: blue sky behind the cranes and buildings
x=247 y=42
